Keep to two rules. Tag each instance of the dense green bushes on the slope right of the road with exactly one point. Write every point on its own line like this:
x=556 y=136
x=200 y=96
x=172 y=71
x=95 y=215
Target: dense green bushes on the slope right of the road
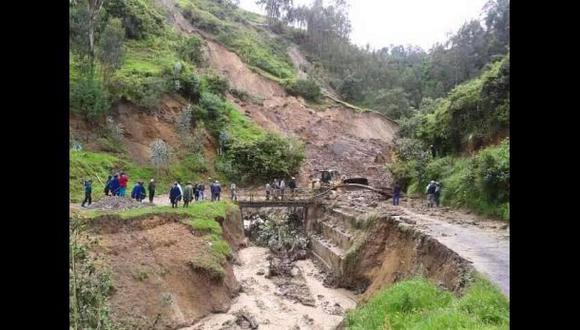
x=434 y=141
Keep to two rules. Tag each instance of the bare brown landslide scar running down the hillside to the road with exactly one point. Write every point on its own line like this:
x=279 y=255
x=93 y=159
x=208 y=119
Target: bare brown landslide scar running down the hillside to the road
x=355 y=144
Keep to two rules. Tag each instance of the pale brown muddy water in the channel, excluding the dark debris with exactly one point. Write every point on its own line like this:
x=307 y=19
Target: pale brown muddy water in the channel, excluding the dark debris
x=261 y=299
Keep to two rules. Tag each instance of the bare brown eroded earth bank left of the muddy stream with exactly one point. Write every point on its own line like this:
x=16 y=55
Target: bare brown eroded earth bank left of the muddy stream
x=157 y=266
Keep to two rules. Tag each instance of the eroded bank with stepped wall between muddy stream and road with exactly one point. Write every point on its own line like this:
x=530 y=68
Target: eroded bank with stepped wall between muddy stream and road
x=366 y=253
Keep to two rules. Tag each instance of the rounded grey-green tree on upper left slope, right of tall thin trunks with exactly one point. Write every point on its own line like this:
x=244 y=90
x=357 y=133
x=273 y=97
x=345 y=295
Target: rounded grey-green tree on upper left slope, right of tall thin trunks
x=110 y=51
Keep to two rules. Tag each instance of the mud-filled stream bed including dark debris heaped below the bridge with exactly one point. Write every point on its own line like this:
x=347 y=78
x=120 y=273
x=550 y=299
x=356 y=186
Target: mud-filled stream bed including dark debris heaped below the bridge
x=281 y=287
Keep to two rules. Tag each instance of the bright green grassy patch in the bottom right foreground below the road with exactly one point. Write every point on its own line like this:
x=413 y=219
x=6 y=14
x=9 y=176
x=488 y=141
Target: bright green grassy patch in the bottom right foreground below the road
x=418 y=304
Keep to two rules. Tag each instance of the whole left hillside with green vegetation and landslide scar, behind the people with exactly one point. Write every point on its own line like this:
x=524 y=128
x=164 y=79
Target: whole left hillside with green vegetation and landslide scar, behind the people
x=214 y=85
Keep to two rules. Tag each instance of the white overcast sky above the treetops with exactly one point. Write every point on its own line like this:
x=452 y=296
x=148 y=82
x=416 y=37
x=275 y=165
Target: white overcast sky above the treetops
x=417 y=22
